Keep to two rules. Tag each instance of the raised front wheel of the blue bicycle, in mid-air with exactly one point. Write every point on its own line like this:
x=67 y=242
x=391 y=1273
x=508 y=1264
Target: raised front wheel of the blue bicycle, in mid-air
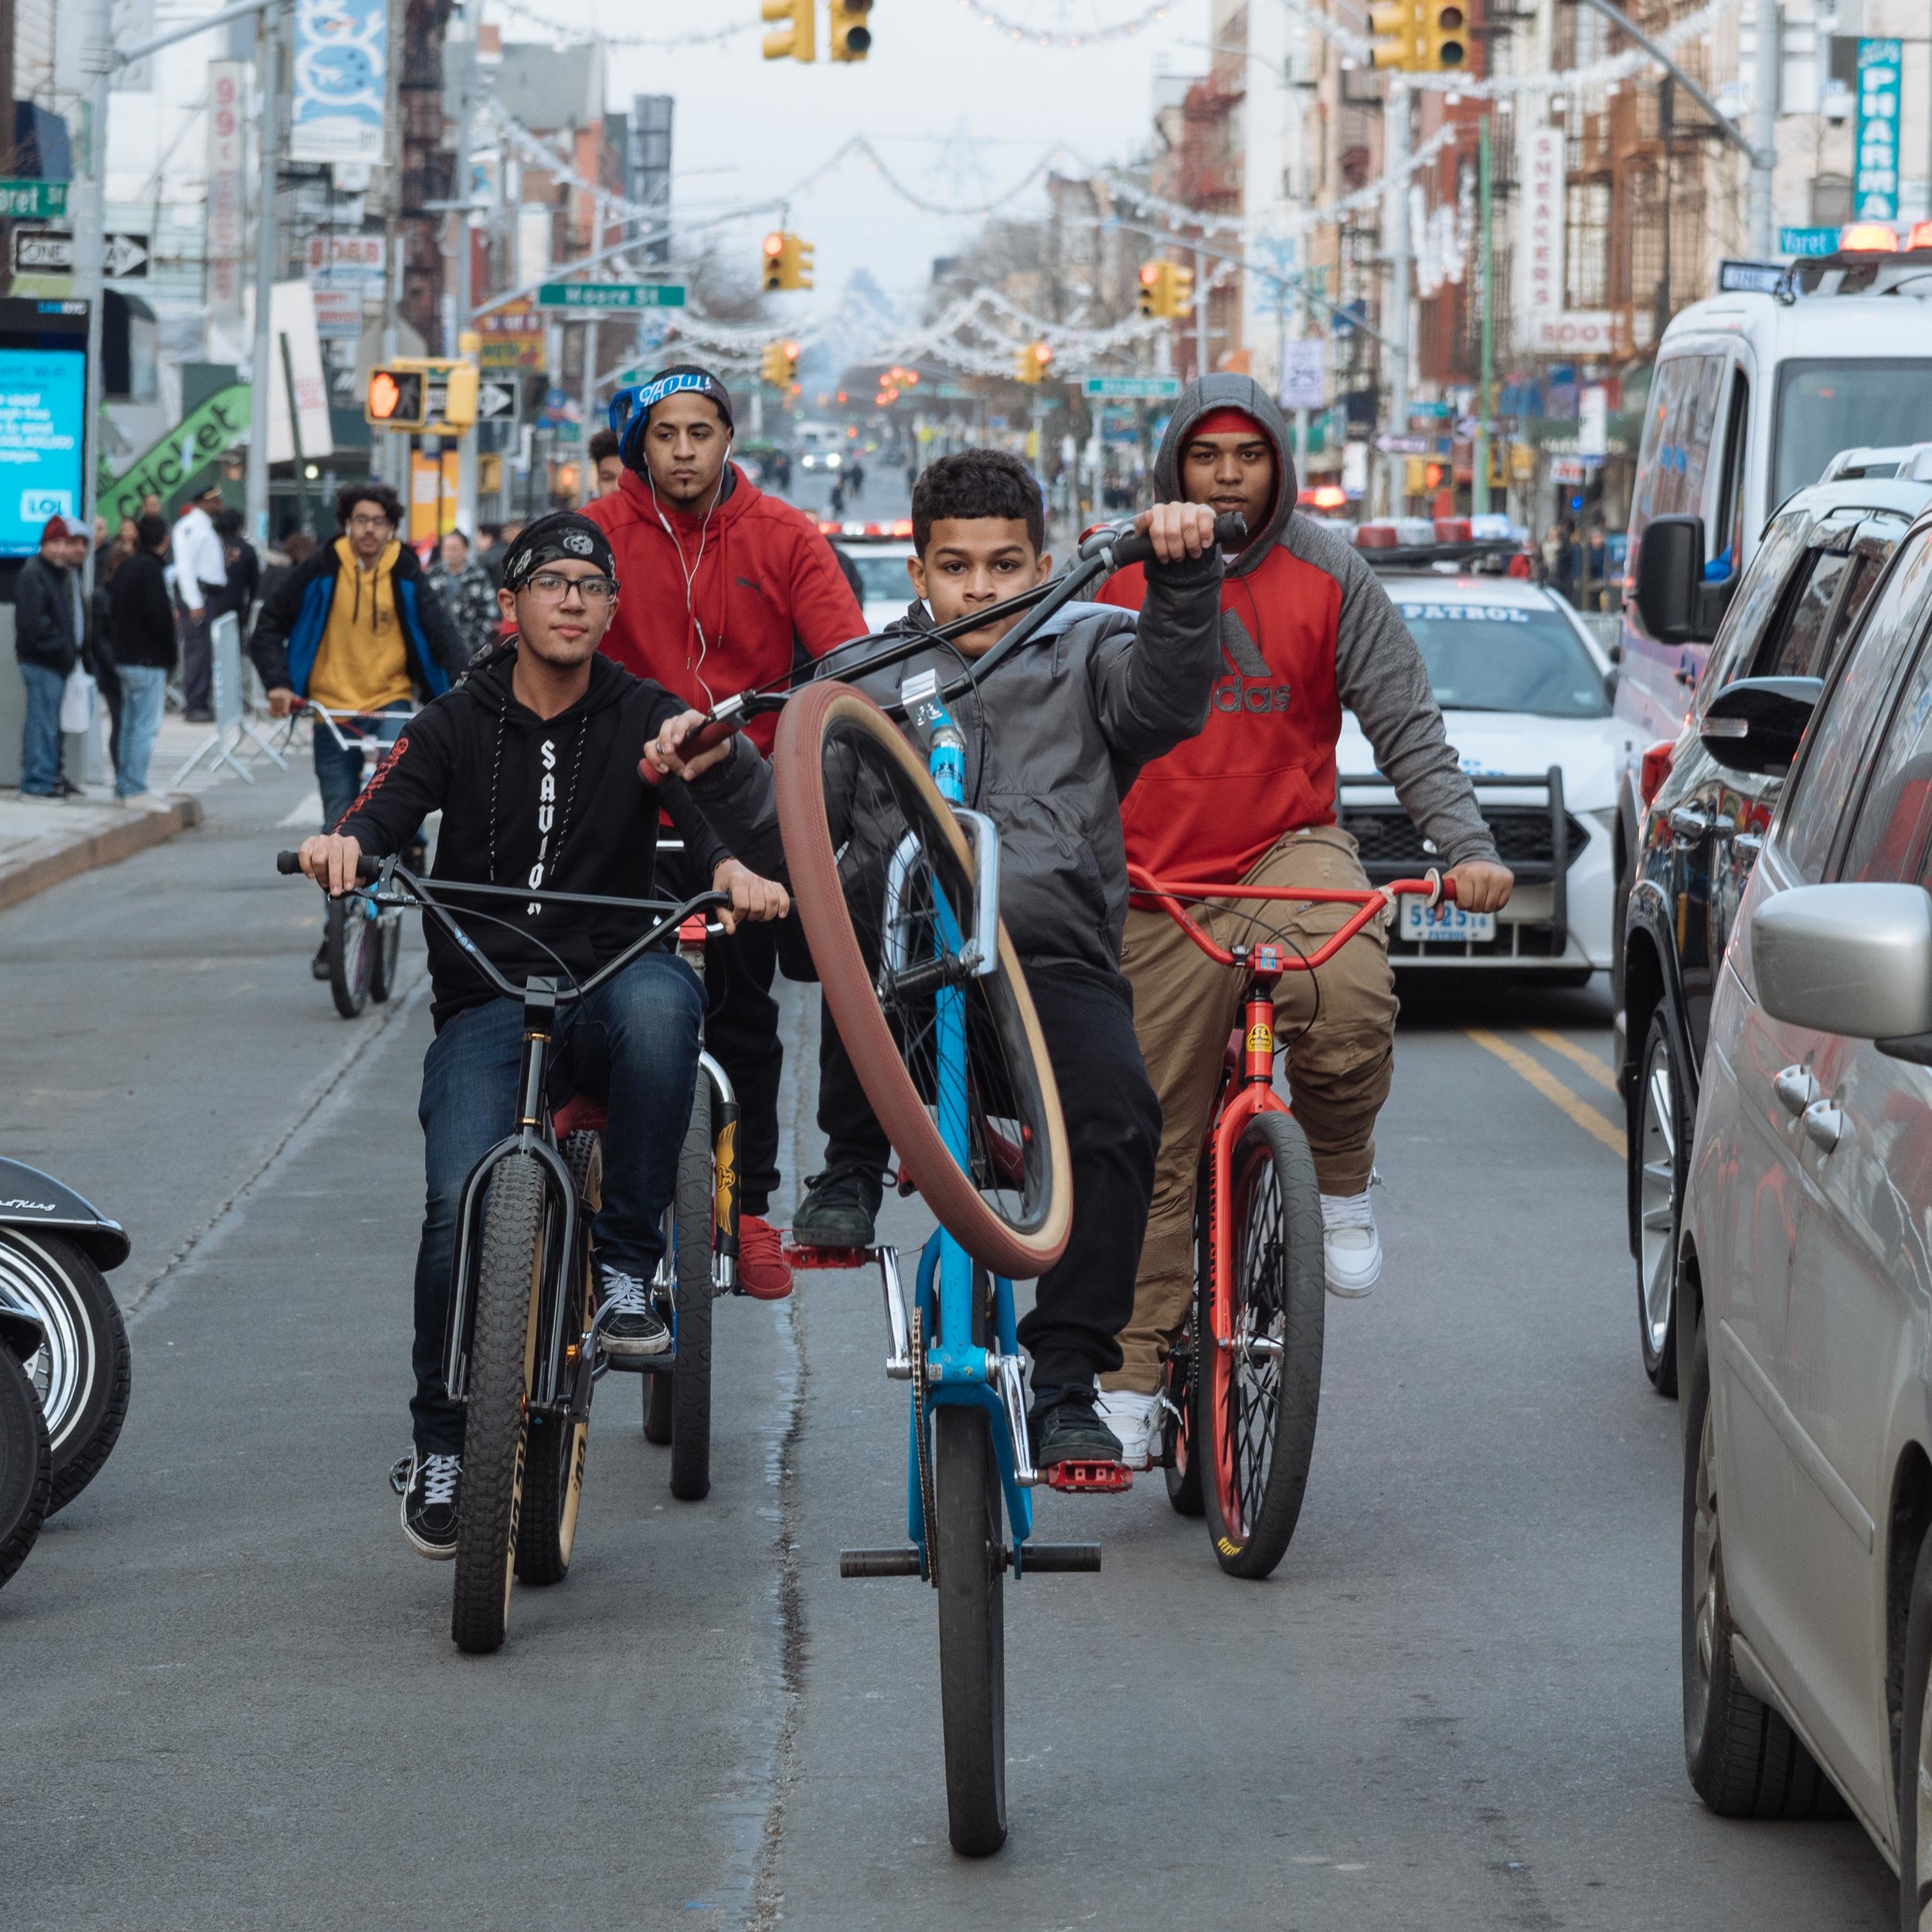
x=884 y=884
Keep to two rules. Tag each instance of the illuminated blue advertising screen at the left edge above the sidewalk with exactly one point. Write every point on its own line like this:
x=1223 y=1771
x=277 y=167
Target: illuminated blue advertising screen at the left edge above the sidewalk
x=43 y=416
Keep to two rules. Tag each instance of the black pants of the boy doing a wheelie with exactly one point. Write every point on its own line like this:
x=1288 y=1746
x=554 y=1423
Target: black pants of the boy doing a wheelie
x=1114 y=1129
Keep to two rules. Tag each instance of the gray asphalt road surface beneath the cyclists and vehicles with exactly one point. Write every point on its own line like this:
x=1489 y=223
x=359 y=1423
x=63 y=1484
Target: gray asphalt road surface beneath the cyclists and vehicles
x=229 y=1684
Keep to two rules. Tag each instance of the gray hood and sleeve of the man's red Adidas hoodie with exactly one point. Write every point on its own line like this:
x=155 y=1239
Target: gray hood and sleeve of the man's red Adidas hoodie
x=1378 y=669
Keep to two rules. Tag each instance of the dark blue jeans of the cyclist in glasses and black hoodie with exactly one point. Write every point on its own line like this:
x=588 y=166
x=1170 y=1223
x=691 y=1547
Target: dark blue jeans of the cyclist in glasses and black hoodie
x=635 y=1044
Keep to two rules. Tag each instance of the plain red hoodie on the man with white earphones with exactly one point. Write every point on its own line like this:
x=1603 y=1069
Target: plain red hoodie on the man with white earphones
x=764 y=584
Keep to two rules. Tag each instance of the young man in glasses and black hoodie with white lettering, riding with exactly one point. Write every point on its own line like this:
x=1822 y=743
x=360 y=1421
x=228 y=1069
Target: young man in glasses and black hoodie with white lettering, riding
x=534 y=764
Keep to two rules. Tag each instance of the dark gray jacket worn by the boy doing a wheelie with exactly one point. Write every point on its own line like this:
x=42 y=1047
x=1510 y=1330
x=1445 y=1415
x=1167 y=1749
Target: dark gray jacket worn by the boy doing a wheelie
x=1054 y=739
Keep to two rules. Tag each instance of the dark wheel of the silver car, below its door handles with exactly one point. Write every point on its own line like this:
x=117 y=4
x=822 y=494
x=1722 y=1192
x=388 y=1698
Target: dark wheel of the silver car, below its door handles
x=1744 y=1759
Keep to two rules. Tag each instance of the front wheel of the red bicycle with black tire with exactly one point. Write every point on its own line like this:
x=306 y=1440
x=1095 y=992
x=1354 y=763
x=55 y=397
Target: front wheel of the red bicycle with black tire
x=1259 y=1357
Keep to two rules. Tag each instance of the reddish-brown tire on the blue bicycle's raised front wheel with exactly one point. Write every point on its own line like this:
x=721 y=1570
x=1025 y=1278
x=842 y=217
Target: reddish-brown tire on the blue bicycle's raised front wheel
x=1017 y=1249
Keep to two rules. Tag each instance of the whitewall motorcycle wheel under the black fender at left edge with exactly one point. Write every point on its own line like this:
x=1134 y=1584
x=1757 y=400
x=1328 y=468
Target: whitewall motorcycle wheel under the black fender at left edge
x=84 y=1371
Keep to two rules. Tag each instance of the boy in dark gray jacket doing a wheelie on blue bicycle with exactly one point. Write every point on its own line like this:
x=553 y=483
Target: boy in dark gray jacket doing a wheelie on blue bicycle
x=1054 y=739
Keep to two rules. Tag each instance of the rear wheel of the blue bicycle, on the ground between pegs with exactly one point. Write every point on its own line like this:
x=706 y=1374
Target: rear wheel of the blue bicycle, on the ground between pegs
x=971 y=1560
